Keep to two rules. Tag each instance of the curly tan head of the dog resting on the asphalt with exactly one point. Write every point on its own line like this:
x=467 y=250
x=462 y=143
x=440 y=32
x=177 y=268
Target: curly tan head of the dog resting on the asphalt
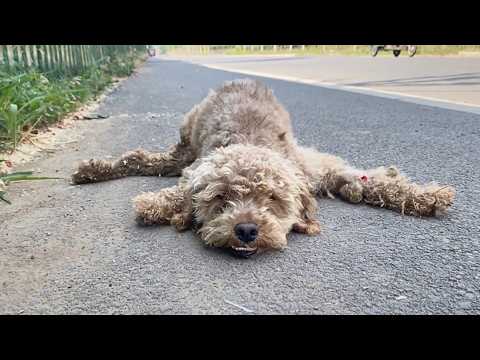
x=247 y=198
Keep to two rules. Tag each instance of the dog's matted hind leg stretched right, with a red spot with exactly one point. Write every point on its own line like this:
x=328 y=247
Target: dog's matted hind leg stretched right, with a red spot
x=383 y=186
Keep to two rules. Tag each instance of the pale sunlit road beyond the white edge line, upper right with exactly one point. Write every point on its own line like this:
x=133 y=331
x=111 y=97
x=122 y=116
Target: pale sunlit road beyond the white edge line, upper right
x=454 y=79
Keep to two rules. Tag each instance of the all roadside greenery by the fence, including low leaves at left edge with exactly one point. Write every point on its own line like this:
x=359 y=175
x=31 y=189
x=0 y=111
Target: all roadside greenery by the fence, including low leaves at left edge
x=32 y=98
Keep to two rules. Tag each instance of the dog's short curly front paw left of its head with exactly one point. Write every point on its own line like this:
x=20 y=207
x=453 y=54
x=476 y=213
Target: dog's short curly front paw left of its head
x=168 y=206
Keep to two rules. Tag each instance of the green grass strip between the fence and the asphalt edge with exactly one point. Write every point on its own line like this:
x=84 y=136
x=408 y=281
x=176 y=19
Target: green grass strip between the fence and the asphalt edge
x=30 y=98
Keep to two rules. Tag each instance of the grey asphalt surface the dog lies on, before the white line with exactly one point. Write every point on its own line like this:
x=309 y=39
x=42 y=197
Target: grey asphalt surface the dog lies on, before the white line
x=77 y=249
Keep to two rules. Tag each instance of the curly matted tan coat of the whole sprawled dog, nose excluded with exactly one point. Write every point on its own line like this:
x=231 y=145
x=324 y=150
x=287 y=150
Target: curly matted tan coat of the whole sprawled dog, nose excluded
x=240 y=164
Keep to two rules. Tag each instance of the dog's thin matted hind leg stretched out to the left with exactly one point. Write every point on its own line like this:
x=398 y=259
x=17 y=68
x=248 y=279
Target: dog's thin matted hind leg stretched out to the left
x=135 y=163
